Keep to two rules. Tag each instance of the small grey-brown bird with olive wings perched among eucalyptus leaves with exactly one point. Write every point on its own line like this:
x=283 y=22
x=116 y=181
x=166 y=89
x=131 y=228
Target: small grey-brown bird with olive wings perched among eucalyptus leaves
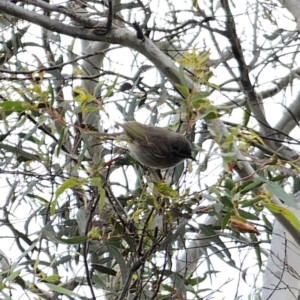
x=156 y=147
